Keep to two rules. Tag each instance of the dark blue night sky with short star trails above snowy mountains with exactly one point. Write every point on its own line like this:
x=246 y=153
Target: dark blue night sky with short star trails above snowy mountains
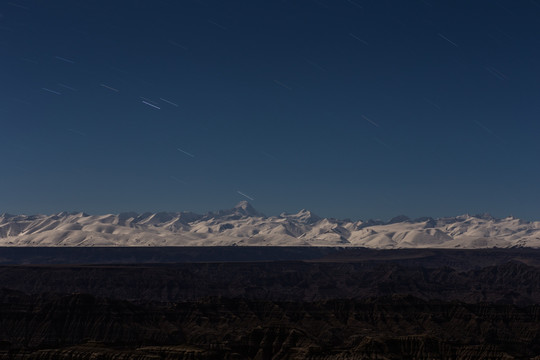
x=352 y=109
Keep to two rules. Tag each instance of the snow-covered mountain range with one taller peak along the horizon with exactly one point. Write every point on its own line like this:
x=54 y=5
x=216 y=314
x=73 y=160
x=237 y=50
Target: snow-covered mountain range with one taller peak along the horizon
x=244 y=226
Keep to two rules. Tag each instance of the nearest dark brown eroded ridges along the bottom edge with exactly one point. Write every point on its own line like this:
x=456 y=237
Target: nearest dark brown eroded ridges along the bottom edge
x=399 y=327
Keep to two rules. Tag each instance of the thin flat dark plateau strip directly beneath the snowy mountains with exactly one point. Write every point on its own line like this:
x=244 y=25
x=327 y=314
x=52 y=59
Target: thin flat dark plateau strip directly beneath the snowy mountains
x=459 y=259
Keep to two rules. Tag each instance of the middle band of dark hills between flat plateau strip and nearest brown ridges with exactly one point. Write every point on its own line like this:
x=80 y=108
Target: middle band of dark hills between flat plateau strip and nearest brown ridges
x=508 y=283
